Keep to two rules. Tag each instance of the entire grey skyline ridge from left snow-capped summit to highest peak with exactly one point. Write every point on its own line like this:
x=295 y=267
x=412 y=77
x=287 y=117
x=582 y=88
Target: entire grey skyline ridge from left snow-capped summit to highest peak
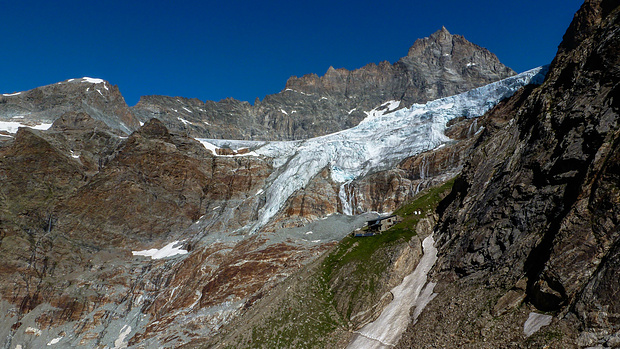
x=308 y=106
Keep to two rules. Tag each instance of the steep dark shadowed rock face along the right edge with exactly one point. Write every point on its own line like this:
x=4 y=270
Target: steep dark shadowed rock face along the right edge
x=538 y=199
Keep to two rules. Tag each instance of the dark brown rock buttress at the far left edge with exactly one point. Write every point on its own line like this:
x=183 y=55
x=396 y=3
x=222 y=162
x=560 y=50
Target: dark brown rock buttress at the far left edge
x=27 y=214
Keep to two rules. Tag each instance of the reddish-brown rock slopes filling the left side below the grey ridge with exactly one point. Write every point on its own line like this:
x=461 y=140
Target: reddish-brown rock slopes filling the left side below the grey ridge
x=68 y=231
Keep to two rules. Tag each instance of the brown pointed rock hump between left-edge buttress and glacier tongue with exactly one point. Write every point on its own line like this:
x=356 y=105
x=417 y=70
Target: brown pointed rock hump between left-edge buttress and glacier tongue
x=157 y=183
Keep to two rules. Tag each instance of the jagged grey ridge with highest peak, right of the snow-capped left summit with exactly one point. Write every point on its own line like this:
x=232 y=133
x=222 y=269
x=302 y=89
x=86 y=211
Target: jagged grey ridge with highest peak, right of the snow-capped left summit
x=438 y=66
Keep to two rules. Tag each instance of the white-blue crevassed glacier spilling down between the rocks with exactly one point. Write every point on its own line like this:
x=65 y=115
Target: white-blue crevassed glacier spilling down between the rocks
x=379 y=142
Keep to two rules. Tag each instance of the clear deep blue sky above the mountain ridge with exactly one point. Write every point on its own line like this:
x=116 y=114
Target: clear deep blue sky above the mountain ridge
x=246 y=49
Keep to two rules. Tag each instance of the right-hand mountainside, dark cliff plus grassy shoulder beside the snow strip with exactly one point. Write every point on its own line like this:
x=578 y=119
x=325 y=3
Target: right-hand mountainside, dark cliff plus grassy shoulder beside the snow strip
x=528 y=238
